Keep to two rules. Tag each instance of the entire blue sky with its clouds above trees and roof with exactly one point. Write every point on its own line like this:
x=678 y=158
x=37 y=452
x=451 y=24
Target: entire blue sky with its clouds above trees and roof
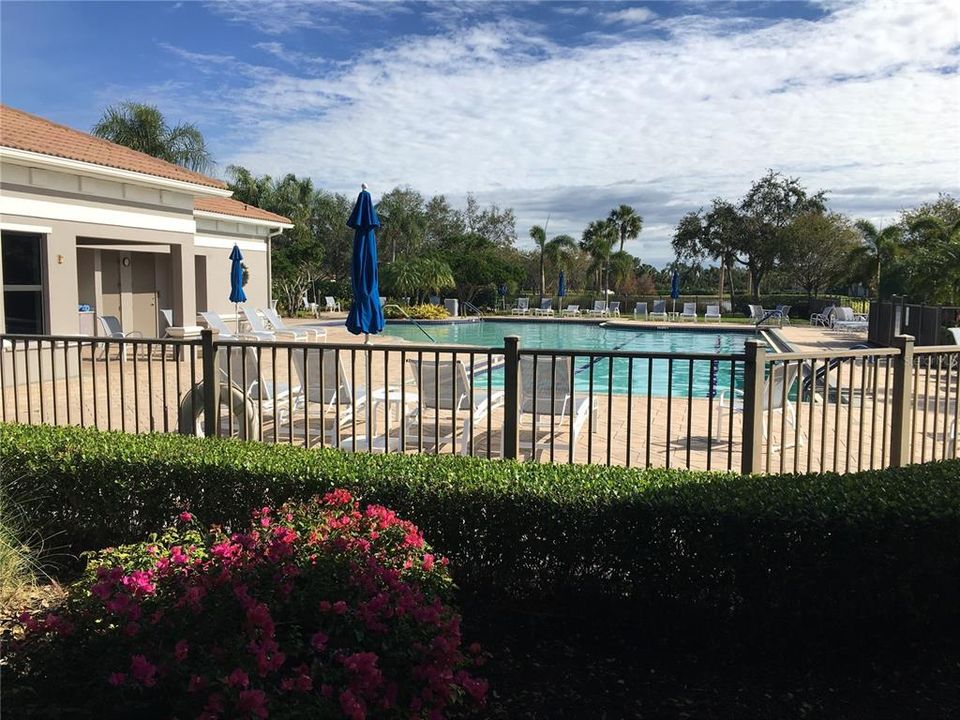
x=563 y=109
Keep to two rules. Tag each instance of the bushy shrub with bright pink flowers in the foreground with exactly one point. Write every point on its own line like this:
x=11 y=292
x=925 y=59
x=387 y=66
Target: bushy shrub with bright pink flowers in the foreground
x=319 y=610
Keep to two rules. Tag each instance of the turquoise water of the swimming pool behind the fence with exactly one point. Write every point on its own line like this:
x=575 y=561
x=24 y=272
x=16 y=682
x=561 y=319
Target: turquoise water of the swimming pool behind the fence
x=659 y=377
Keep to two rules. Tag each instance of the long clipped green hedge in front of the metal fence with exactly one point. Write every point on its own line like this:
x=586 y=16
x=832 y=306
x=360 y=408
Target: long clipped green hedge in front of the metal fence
x=868 y=546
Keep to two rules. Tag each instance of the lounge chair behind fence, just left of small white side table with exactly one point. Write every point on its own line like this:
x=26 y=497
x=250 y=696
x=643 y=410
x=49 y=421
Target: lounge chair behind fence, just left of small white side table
x=325 y=386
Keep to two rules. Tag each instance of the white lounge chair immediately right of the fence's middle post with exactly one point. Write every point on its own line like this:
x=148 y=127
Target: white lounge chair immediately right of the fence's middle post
x=547 y=400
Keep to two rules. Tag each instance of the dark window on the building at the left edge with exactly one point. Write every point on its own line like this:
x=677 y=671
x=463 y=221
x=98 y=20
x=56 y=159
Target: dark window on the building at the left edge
x=22 y=261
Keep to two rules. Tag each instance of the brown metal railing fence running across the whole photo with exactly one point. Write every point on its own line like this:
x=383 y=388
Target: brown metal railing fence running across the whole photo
x=756 y=411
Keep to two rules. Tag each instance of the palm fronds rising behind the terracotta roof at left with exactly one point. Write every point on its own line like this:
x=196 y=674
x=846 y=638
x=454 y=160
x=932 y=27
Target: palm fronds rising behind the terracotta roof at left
x=143 y=128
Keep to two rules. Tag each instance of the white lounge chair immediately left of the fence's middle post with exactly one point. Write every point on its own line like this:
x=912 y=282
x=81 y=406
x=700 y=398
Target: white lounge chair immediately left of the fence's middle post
x=444 y=386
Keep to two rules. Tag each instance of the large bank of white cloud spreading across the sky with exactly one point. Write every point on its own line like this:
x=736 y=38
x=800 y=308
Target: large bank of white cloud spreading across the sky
x=856 y=101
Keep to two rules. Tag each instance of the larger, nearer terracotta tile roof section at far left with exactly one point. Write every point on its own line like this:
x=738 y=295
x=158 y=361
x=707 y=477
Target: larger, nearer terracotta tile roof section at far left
x=24 y=131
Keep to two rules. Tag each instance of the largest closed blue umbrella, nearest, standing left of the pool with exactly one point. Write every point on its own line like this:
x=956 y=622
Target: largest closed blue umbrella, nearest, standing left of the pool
x=366 y=315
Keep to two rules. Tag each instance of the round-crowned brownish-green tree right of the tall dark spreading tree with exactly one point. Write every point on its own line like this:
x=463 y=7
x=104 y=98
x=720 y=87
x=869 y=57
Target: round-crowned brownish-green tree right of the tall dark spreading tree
x=818 y=248
